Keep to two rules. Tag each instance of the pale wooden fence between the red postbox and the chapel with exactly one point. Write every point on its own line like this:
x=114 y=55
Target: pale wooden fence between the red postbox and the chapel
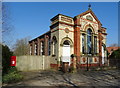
x=29 y=63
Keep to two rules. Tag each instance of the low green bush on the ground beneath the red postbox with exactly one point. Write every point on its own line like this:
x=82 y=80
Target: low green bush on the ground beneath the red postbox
x=13 y=76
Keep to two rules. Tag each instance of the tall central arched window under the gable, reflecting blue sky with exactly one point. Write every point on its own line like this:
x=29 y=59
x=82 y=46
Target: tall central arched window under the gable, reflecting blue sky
x=89 y=41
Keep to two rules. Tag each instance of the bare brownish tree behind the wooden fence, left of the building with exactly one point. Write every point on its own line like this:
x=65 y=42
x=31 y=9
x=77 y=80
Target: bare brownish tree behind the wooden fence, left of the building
x=21 y=47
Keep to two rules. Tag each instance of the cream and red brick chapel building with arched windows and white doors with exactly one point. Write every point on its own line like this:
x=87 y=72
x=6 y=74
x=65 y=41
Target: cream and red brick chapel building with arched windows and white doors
x=82 y=35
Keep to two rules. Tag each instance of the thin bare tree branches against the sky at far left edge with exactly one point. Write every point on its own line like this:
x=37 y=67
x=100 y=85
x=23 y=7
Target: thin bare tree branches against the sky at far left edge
x=7 y=26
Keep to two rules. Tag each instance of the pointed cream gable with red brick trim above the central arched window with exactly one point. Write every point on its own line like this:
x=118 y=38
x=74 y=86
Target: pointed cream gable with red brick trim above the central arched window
x=88 y=18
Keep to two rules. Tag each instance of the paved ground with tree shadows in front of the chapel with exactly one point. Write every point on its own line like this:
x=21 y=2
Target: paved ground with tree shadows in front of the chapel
x=81 y=78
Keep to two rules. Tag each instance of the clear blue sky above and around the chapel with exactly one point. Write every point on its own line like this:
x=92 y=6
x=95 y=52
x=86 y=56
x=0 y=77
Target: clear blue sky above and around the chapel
x=33 y=18
